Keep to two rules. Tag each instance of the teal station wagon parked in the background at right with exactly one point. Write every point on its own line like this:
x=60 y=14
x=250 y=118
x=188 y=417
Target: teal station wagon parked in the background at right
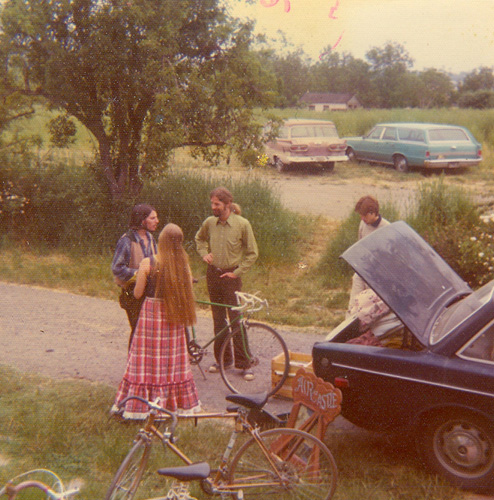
x=424 y=145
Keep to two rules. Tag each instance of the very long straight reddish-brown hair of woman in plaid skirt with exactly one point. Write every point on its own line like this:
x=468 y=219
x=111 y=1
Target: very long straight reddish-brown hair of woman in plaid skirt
x=174 y=279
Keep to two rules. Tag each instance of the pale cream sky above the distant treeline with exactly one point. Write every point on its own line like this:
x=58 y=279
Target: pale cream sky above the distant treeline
x=449 y=35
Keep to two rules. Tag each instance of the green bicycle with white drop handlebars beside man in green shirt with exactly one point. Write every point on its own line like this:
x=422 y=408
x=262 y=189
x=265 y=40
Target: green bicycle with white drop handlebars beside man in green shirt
x=260 y=342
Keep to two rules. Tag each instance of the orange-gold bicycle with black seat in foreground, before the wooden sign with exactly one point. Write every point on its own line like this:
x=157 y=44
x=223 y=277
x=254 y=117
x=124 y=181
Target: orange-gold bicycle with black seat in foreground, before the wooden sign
x=280 y=462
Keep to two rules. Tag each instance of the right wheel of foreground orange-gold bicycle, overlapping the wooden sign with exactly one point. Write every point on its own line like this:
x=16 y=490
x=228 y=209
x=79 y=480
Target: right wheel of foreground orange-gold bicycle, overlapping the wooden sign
x=292 y=465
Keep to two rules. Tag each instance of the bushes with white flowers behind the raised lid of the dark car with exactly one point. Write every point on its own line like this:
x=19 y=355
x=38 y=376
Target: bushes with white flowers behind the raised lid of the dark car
x=446 y=217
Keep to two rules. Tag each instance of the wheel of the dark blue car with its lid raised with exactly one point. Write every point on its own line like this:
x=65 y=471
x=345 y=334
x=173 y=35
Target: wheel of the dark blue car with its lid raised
x=460 y=447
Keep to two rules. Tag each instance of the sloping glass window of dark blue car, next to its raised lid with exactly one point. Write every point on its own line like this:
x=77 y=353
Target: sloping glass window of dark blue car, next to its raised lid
x=459 y=312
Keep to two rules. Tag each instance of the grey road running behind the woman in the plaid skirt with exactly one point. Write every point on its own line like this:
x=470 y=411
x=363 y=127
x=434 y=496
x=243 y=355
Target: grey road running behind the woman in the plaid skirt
x=63 y=335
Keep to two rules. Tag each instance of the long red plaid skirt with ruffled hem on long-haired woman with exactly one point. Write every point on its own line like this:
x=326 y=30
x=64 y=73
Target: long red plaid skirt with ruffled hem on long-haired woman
x=158 y=365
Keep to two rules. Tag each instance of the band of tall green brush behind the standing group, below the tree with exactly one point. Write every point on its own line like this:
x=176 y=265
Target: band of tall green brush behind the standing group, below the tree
x=69 y=208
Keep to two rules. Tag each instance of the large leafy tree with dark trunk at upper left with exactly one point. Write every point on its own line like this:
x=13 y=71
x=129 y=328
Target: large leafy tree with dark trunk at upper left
x=143 y=76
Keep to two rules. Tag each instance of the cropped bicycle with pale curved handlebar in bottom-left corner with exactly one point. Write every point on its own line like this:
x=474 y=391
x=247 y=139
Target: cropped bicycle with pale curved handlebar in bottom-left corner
x=56 y=491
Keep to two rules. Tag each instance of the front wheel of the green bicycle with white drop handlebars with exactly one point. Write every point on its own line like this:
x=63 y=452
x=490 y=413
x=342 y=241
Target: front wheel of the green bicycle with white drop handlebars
x=260 y=344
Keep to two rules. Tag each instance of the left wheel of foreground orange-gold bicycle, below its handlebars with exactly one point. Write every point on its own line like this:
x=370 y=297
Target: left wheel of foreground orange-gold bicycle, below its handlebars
x=129 y=474
